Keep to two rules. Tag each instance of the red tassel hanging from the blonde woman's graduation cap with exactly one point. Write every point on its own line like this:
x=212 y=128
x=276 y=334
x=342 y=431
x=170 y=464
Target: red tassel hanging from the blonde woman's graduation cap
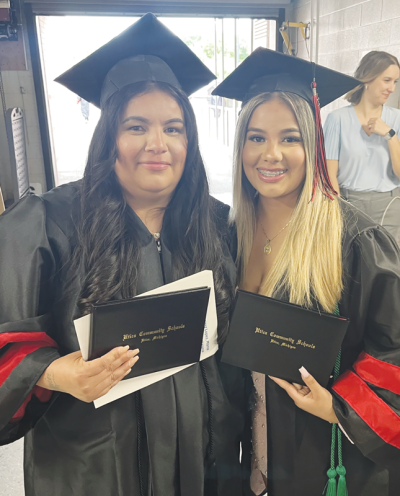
x=321 y=176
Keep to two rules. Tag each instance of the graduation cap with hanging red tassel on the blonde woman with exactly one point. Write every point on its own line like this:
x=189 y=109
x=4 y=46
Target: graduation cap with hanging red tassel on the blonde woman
x=266 y=71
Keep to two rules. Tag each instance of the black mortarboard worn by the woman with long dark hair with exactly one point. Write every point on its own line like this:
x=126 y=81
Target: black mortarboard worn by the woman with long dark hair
x=146 y=51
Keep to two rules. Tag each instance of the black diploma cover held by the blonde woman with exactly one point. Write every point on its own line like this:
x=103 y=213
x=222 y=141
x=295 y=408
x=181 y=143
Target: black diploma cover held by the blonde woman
x=277 y=338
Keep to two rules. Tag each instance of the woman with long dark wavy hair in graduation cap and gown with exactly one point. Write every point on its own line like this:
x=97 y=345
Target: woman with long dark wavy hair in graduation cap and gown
x=141 y=217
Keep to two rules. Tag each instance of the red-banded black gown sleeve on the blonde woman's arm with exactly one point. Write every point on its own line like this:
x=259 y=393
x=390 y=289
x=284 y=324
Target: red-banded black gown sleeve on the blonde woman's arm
x=367 y=397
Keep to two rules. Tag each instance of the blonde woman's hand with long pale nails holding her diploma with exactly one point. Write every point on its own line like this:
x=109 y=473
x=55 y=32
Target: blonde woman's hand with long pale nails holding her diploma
x=312 y=398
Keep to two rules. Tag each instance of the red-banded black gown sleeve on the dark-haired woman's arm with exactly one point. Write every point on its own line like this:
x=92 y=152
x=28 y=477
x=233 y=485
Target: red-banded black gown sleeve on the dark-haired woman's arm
x=35 y=236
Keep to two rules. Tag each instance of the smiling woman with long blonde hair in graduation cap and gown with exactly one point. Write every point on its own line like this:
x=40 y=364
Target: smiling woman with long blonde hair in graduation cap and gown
x=297 y=241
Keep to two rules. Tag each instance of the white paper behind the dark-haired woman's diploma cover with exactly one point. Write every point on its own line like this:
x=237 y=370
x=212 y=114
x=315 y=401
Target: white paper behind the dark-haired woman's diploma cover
x=209 y=345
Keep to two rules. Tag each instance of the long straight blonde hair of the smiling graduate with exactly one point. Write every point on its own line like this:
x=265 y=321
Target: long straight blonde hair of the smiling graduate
x=309 y=264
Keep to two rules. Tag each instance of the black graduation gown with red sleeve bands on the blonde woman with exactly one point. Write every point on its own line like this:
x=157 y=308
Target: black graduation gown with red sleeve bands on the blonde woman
x=367 y=392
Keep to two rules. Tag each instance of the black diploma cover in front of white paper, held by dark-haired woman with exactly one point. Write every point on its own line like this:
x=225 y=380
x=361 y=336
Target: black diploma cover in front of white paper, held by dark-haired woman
x=167 y=328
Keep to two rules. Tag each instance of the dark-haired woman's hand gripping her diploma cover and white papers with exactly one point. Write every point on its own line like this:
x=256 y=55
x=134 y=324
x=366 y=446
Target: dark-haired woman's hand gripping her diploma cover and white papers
x=88 y=381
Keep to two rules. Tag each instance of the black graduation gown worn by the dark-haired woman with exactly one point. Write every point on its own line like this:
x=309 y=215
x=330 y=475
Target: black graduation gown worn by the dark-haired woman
x=70 y=447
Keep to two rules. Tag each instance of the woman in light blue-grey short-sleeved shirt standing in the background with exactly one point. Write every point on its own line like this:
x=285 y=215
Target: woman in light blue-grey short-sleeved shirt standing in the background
x=362 y=145
